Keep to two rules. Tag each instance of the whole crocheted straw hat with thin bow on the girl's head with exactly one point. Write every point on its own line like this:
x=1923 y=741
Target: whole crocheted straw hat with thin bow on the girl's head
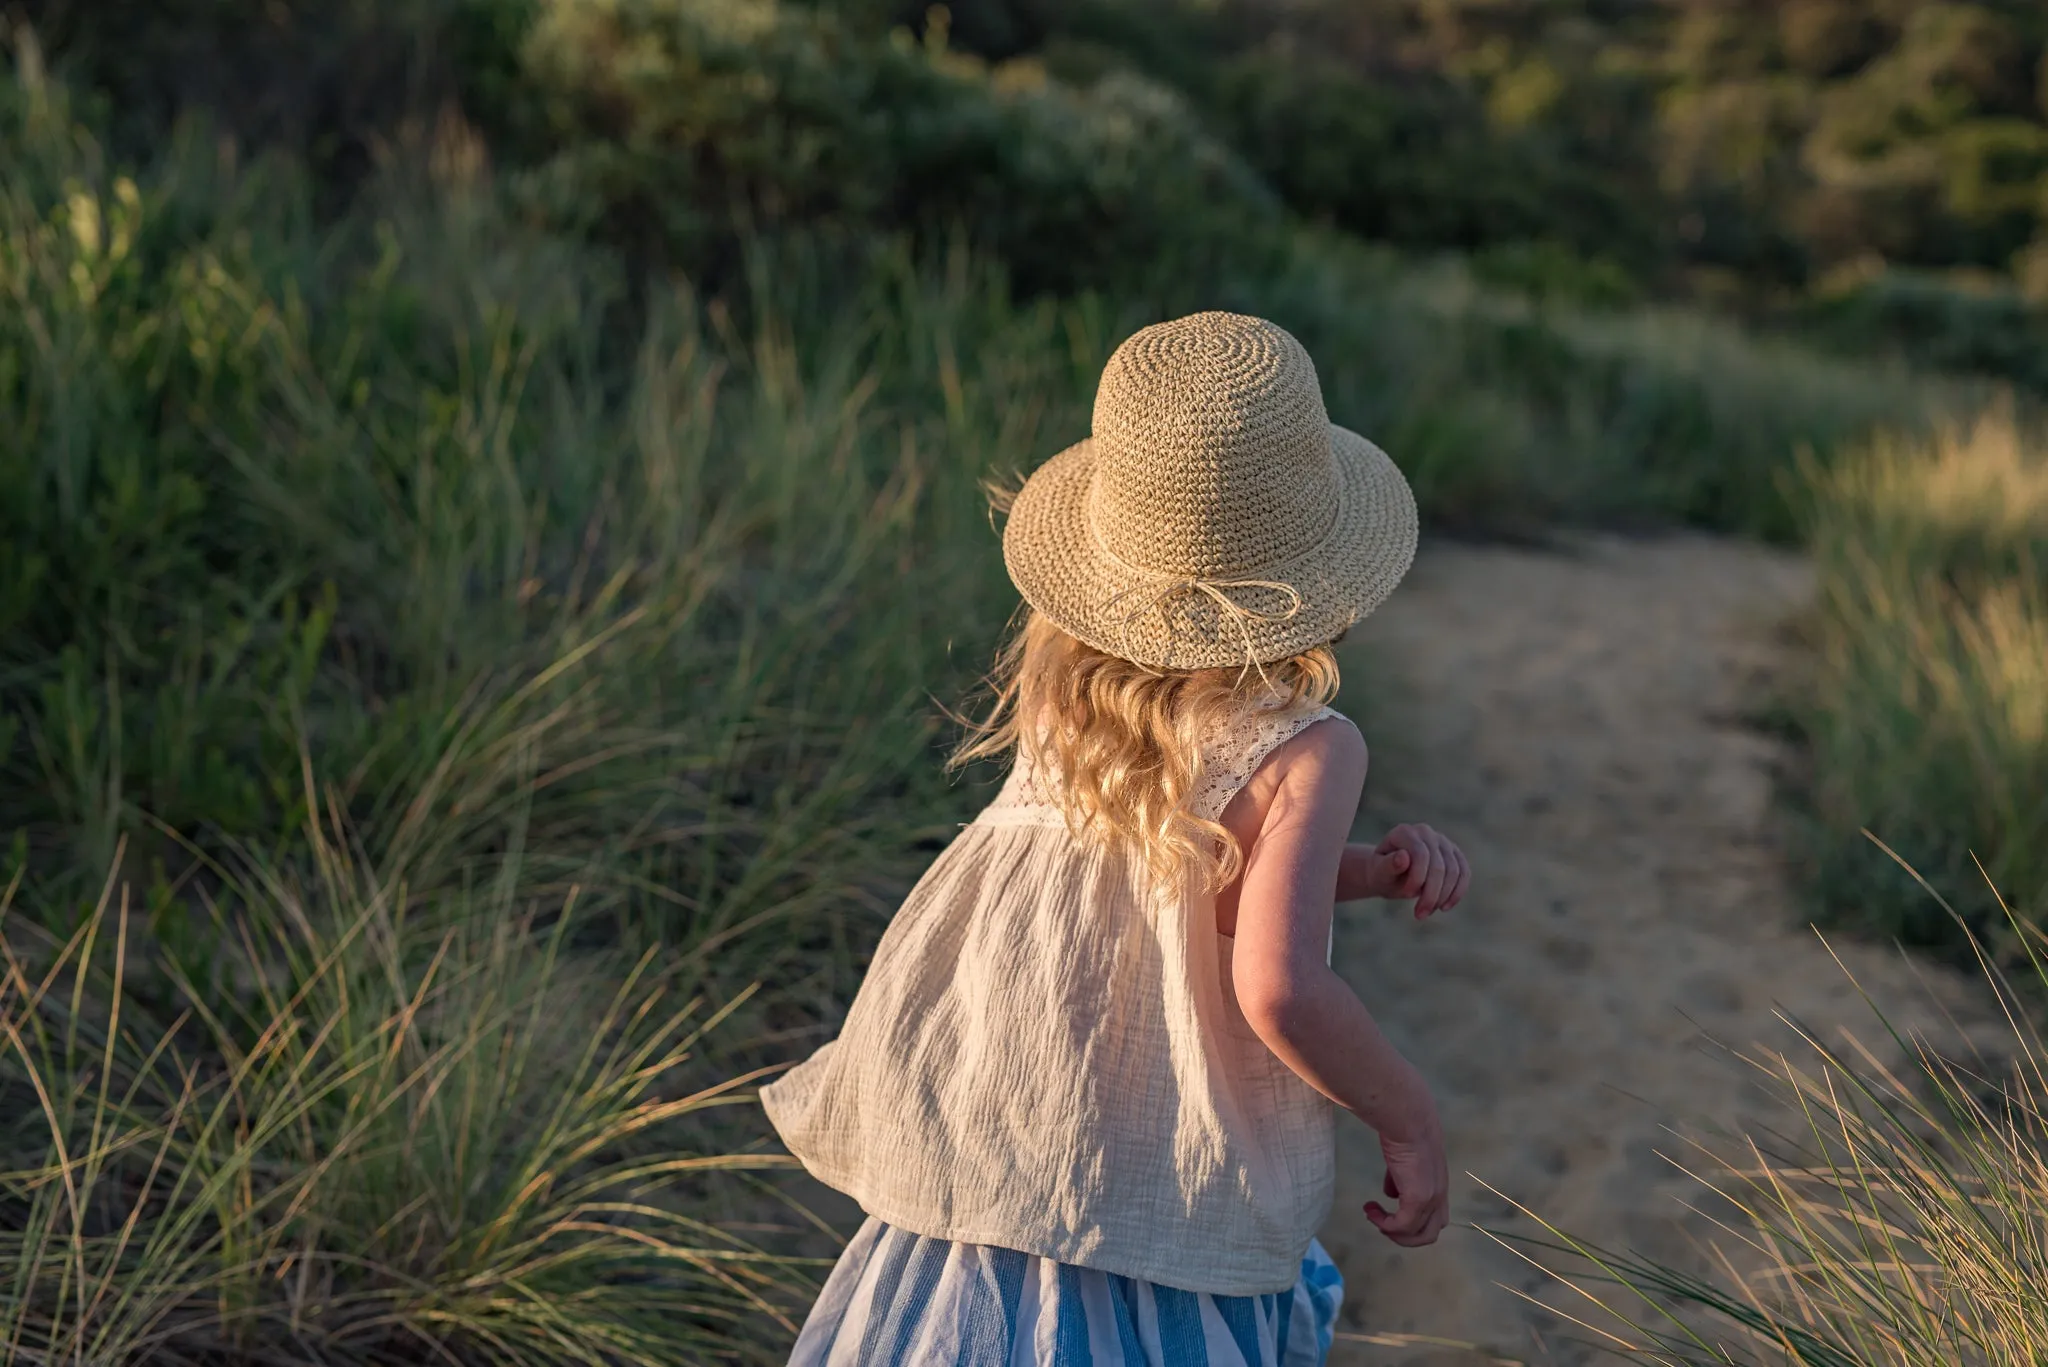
x=1215 y=515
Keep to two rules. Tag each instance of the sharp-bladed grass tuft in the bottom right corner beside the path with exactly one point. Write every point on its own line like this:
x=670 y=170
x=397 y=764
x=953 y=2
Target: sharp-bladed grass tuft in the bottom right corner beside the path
x=1900 y=1218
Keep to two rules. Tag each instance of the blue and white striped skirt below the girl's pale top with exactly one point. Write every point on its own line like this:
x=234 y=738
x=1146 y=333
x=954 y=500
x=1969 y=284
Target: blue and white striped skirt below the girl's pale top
x=900 y=1300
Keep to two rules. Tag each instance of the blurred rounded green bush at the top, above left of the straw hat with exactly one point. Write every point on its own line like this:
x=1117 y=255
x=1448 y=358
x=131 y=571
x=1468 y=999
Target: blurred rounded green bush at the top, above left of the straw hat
x=679 y=122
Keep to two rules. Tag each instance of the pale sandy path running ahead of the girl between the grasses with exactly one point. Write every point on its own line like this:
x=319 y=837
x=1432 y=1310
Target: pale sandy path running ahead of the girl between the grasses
x=1574 y=722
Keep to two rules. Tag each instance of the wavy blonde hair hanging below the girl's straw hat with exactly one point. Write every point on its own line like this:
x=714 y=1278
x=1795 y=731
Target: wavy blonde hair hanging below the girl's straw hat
x=1125 y=739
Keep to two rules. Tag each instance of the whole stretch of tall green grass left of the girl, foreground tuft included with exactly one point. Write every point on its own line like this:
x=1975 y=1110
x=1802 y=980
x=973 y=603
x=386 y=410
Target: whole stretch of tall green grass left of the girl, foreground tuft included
x=454 y=673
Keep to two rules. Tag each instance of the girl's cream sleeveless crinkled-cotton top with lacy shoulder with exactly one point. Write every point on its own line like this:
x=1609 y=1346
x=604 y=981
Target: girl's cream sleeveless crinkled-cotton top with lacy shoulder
x=1048 y=1057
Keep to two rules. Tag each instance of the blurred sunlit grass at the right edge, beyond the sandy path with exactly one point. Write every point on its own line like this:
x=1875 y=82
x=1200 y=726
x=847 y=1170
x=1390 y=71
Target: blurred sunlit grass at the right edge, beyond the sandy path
x=1928 y=708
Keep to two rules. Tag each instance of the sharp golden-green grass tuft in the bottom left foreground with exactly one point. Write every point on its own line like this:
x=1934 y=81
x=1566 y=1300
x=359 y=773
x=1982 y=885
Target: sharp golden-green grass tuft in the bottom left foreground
x=421 y=1128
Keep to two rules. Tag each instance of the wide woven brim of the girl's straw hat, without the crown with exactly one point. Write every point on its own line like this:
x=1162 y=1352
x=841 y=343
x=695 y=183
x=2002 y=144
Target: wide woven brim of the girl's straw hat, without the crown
x=1132 y=614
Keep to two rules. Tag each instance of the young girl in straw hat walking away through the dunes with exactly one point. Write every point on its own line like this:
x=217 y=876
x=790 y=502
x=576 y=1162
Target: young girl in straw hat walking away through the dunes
x=1086 y=1089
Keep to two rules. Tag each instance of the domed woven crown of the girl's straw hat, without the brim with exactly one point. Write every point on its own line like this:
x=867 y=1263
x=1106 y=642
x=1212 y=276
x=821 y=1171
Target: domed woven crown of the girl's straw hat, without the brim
x=1211 y=450
